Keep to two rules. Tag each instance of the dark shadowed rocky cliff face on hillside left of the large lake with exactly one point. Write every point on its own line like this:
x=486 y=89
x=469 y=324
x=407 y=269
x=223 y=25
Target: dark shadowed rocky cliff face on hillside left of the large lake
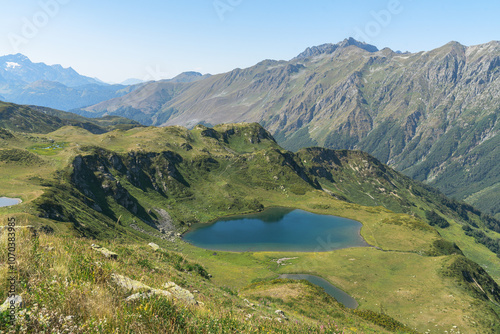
x=94 y=175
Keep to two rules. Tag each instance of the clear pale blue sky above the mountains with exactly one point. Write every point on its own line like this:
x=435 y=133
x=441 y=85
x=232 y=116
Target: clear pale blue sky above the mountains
x=116 y=40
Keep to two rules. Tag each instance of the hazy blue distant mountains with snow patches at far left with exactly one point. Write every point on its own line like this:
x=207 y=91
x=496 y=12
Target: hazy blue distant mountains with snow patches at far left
x=25 y=82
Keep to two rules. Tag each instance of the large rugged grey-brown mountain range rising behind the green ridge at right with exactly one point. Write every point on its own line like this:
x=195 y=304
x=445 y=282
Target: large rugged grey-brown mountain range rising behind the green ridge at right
x=432 y=115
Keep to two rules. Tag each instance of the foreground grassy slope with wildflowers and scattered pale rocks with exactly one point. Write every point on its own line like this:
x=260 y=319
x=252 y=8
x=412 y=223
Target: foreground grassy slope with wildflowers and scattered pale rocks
x=63 y=277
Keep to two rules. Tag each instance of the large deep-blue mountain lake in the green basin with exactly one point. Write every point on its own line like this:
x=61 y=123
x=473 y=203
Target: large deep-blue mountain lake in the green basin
x=277 y=229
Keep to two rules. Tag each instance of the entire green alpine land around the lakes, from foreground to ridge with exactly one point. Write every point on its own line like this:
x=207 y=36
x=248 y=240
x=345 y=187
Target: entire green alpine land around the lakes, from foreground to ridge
x=110 y=188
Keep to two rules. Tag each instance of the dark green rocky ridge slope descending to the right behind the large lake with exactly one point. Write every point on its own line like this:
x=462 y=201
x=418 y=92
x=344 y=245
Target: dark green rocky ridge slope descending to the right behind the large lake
x=355 y=179
